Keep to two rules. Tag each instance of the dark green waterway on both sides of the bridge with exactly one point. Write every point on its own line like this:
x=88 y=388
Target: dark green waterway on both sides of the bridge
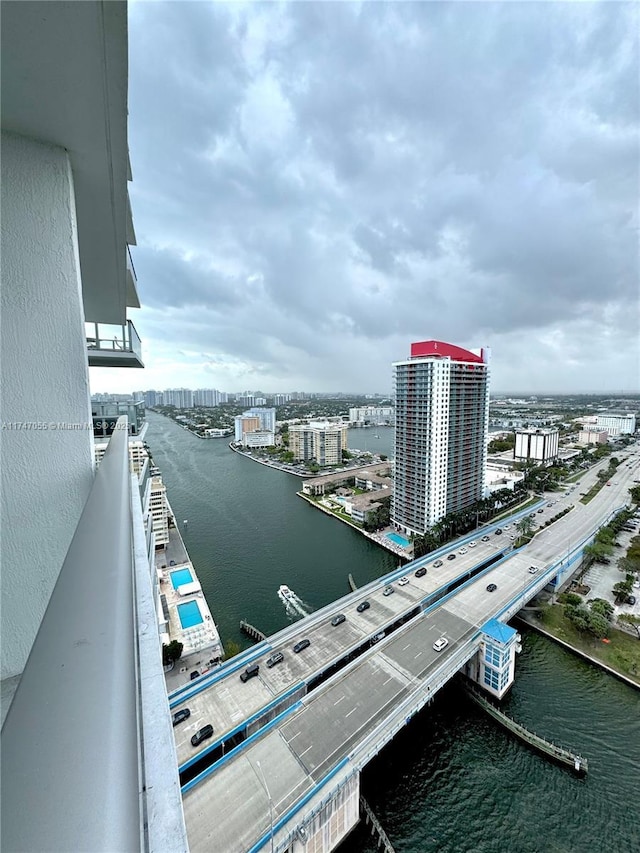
x=452 y=781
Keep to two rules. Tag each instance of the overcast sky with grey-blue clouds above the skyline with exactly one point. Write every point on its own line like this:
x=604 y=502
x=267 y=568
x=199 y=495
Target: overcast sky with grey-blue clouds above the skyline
x=317 y=185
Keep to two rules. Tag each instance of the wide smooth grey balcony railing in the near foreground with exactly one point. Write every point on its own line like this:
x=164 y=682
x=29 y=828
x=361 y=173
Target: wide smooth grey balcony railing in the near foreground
x=88 y=755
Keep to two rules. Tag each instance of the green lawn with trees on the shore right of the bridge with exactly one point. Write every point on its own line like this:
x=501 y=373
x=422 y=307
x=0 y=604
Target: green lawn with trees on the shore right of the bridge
x=622 y=653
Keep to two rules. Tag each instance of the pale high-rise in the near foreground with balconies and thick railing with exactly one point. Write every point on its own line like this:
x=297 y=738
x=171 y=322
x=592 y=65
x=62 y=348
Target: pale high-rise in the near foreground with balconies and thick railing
x=81 y=655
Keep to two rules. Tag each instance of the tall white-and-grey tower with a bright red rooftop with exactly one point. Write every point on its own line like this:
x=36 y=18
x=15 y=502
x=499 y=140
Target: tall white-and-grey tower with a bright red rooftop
x=442 y=417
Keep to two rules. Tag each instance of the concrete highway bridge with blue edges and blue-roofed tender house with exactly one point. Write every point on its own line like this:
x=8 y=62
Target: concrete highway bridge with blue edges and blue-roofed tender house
x=281 y=771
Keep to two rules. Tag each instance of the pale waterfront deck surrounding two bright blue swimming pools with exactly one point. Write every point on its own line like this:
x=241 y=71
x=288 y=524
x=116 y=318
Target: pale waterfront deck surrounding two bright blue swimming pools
x=201 y=642
